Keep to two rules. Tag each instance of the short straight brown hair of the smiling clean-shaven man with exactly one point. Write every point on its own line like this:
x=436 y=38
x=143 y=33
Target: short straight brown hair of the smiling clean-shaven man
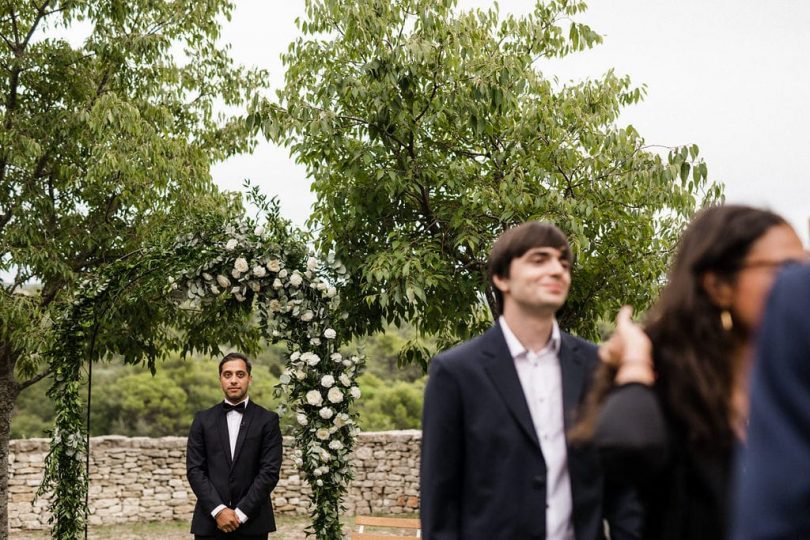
x=515 y=242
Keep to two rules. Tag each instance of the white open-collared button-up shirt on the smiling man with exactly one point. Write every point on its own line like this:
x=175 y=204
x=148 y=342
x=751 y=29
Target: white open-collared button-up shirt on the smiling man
x=541 y=379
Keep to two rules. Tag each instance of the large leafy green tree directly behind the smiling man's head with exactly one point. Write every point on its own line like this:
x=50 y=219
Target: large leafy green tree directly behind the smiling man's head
x=427 y=131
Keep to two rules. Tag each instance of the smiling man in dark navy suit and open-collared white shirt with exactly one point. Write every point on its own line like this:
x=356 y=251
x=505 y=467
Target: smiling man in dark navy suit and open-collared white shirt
x=495 y=460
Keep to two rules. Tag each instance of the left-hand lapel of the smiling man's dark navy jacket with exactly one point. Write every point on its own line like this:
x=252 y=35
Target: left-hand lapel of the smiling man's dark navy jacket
x=500 y=367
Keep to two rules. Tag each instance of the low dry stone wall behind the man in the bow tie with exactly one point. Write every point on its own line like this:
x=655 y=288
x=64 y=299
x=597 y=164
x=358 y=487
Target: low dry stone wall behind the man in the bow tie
x=142 y=479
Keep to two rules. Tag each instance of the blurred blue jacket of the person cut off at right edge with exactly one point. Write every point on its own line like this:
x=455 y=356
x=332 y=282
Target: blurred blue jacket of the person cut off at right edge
x=774 y=483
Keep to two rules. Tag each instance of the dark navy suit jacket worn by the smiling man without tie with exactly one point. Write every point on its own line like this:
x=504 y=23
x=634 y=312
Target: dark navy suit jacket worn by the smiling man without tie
x=482 y=472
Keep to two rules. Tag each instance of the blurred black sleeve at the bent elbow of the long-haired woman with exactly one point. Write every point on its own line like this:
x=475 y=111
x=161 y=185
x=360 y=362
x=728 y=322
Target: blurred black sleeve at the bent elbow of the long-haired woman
x=631 y=433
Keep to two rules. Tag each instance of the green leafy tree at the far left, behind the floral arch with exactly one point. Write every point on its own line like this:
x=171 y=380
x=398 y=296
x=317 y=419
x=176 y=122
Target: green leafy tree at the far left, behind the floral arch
x=106 y=141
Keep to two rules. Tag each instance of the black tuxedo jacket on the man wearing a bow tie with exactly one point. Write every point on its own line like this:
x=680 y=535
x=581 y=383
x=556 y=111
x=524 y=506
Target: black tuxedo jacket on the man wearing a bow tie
x=244 y=481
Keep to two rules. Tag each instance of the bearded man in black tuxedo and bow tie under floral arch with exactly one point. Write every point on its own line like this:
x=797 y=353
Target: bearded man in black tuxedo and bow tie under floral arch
x=233 y=461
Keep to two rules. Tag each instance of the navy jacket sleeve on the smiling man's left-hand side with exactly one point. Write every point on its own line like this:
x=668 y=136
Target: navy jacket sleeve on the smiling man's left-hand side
x=442 y=456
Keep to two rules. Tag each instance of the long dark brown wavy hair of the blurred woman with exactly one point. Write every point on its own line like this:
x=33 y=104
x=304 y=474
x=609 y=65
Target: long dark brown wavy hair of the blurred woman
x=691 y=349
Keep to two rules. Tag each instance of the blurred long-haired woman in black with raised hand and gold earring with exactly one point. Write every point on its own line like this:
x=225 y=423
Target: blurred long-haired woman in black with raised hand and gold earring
x=670 y=402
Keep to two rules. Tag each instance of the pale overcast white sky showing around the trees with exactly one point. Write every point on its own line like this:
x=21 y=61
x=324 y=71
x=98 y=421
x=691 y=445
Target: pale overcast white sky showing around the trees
x=732 y=77
